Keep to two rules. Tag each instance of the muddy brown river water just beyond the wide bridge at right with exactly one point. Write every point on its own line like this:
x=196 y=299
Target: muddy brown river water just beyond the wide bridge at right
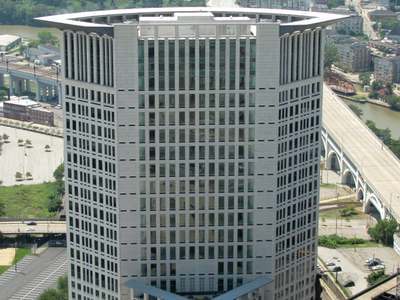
x=382 y=116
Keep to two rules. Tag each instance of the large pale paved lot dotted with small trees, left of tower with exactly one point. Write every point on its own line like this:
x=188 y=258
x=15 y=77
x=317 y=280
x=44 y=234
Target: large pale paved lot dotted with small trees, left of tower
x=35 y=160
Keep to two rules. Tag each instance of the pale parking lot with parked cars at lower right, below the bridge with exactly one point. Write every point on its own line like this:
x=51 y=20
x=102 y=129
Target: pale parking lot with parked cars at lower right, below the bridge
x=353 y=263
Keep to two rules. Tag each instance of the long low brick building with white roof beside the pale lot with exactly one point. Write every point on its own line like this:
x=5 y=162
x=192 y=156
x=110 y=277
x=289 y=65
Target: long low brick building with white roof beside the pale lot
x=28 y=111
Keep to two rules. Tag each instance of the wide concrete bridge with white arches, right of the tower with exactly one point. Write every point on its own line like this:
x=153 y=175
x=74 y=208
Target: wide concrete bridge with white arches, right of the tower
x=362 y=160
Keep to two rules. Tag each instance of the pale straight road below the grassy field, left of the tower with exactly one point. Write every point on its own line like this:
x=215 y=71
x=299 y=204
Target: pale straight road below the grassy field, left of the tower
x=41 y=227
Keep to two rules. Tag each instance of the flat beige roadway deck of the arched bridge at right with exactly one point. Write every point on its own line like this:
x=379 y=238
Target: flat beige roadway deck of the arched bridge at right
x=381 y=168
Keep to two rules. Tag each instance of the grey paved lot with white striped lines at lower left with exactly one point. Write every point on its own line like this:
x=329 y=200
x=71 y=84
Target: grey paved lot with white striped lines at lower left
x=34 y=278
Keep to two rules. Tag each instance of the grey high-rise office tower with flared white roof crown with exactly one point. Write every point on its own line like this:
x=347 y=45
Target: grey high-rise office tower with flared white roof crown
x=191 y=150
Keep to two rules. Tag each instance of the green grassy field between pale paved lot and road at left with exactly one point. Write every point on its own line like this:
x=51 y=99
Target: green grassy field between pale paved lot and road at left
x=31 y=200
